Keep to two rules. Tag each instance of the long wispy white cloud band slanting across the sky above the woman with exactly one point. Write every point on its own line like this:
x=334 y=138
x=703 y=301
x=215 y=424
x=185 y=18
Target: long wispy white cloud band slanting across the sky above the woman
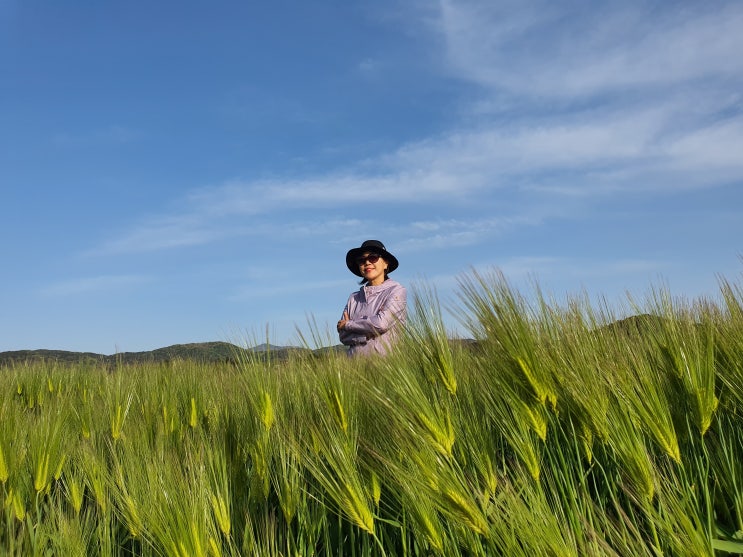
x=610 y=153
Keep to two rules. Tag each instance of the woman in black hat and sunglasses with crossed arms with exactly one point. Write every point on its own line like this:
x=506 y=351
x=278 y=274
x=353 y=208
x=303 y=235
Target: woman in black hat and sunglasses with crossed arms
x=374 y=315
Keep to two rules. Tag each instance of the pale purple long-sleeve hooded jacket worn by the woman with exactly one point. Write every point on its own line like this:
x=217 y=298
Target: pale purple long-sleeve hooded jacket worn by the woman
x=375 y=317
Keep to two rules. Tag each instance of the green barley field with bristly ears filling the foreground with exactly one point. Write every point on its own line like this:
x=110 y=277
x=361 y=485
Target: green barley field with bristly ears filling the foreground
x=562 y=430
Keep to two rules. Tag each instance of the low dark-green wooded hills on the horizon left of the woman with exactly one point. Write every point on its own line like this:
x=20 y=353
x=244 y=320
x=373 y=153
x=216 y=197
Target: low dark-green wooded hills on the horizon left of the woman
x=199 y=351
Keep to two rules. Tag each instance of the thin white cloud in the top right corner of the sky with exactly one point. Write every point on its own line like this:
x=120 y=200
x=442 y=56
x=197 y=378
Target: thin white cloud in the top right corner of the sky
x=551 y=49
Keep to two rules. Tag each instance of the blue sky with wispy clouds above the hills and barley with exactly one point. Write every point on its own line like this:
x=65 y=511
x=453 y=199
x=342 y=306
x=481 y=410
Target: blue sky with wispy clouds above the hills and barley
x=175 y=172
